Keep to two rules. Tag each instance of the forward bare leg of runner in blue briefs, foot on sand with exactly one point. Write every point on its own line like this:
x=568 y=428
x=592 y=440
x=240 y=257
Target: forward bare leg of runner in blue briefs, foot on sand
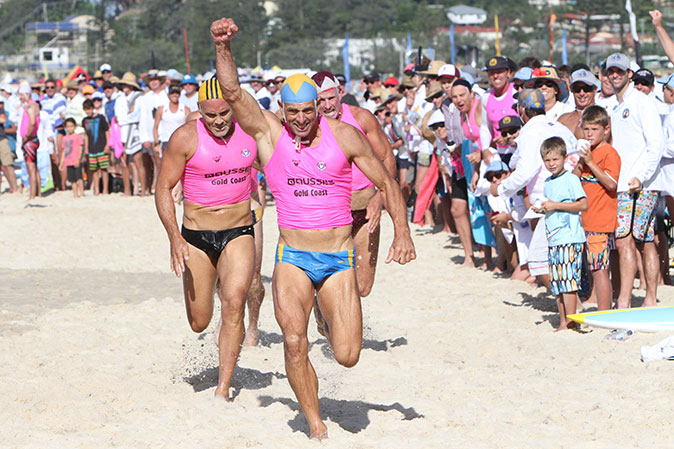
x=293 y=299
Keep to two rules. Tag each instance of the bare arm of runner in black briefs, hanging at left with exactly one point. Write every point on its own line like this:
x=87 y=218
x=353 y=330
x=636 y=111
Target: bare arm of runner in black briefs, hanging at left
x=180 y=146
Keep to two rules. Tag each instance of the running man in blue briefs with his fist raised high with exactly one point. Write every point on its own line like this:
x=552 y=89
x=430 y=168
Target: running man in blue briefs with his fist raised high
x=307 y=161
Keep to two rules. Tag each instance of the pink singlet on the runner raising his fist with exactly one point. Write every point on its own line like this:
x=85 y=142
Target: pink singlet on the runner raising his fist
x=311 y=185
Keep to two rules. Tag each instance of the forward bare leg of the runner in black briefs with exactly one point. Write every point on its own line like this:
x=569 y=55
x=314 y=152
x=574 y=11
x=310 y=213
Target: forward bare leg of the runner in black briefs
x=235 y=272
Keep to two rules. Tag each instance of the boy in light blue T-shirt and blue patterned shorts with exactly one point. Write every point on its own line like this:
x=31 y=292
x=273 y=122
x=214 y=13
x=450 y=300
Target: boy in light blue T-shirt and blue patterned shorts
x=565 y=200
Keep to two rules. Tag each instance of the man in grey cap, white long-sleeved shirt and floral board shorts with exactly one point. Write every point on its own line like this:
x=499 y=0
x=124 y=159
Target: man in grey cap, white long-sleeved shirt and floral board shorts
x=638 y=138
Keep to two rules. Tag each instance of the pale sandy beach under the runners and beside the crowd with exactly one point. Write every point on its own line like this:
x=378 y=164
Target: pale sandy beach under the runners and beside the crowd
x=97 y=352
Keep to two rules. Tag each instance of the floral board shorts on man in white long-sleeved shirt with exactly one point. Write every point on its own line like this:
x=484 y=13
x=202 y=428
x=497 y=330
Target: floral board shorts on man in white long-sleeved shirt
x=636 y=215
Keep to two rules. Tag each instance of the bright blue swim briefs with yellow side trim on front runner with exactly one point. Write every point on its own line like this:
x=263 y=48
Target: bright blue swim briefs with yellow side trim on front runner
x=318 y=266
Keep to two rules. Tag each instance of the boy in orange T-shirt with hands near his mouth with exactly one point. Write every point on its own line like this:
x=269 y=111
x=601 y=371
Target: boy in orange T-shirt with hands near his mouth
x=598 y=169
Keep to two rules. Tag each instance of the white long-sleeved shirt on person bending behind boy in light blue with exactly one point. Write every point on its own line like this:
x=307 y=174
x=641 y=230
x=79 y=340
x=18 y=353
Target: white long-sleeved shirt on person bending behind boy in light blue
x=530 y=171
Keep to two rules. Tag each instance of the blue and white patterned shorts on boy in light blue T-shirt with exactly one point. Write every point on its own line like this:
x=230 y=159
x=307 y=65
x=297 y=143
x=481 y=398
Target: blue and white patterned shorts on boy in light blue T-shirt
x=566 y=267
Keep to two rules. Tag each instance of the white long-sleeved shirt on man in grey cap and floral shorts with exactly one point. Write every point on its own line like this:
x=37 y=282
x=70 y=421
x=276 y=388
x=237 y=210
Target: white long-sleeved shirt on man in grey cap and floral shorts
x=638 y=138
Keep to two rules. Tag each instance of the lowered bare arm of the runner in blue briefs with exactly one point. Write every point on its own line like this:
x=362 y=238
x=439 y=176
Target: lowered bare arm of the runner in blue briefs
x=357 y=150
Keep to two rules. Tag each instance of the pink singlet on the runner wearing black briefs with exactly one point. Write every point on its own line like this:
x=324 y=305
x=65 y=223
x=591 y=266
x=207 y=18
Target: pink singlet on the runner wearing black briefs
x=219 y=171
